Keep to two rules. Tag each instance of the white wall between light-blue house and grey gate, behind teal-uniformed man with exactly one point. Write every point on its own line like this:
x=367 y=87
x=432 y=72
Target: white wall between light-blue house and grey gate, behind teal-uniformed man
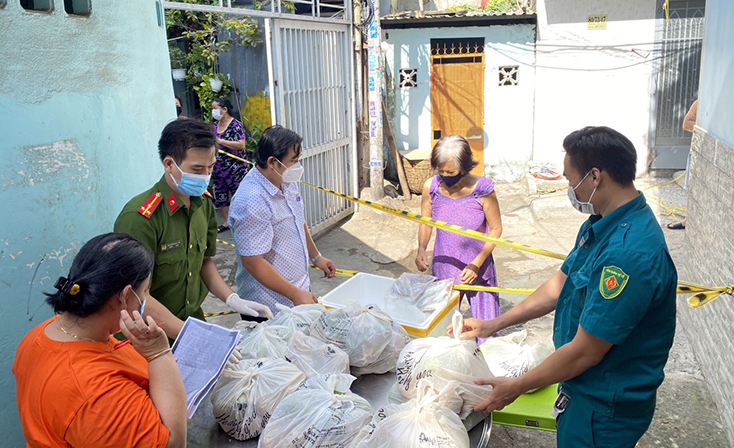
x=592 y=77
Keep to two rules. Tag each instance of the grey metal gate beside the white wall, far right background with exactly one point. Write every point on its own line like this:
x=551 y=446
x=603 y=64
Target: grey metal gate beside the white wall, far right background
x=676 y=82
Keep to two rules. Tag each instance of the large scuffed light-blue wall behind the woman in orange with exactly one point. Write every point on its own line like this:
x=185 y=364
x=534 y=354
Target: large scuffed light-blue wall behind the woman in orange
x=82 y=103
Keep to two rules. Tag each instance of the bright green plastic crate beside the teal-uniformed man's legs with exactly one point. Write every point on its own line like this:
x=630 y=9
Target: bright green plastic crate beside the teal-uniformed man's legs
x=532 y=411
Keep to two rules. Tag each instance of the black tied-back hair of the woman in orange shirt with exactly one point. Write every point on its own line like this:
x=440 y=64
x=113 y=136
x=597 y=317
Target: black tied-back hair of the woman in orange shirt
x=102 y=268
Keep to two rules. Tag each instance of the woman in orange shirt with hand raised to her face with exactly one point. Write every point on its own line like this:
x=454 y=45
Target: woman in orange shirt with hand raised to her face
x=76 y=386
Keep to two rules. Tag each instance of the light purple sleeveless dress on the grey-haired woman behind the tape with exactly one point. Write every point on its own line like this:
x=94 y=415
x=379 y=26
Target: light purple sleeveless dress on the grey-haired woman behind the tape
x=453 y=252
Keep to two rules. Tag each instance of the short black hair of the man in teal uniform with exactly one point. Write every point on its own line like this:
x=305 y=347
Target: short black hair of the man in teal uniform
x=603 y=148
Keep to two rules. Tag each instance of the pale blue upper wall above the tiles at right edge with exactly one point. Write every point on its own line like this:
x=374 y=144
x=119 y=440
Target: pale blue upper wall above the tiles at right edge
x=715 y=111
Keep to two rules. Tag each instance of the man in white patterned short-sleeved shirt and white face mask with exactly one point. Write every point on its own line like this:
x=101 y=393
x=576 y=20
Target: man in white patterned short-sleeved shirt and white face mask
x=269 y=229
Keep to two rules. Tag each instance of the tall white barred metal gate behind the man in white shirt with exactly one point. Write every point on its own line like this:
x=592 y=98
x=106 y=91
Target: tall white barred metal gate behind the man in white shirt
x=313 y=96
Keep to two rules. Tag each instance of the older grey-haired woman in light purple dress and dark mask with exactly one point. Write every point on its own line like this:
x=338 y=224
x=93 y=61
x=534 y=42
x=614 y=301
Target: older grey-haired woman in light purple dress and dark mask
x=467 y=200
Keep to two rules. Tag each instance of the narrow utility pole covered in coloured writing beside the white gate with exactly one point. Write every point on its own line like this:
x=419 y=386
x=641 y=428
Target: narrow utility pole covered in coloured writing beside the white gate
x=375 y=105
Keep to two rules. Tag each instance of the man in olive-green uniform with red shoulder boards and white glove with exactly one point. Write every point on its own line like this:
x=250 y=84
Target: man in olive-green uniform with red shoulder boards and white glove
x=178 y=224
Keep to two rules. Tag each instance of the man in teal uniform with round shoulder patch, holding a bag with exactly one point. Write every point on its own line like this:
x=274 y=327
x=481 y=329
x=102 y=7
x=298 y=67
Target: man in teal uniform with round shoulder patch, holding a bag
x=614 y=299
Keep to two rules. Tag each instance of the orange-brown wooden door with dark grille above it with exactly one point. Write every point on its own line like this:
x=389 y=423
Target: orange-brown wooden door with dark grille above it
x=457 y=93
